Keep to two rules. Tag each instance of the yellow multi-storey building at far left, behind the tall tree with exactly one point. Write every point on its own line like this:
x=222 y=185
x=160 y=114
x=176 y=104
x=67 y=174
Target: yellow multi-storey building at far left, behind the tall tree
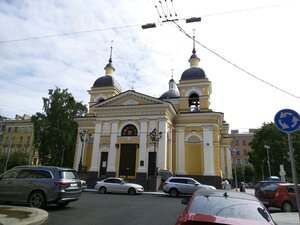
x=17 y=135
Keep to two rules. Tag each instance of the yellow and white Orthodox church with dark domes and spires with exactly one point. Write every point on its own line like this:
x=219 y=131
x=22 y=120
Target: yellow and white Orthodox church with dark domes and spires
x=132 y=135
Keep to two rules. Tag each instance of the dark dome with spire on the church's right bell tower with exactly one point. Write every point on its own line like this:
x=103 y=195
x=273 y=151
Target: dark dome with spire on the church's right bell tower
x=194 y=72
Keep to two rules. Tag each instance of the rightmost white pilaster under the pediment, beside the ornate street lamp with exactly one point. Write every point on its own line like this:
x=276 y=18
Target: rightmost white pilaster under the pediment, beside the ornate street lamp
x=162 y=146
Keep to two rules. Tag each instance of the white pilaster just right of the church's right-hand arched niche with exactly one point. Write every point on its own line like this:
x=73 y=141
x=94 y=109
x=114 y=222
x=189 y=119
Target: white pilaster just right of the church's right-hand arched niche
x=209 y=160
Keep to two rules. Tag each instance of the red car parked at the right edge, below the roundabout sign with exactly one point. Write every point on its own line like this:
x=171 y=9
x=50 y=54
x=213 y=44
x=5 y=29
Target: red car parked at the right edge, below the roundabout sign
x=279 y=195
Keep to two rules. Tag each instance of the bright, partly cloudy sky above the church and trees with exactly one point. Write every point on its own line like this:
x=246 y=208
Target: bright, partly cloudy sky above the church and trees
x=249 y=50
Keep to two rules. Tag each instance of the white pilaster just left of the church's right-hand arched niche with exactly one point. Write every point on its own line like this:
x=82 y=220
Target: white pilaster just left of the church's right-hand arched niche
x=180 y=151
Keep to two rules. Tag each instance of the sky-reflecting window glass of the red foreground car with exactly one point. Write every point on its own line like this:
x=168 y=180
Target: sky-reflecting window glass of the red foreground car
x=228 y=207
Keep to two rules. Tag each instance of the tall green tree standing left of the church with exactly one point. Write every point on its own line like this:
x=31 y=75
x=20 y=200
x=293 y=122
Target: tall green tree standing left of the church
x=55 y=130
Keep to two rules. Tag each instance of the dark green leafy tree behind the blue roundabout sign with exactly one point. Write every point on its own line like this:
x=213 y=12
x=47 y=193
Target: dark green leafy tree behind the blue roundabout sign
x=270 y=135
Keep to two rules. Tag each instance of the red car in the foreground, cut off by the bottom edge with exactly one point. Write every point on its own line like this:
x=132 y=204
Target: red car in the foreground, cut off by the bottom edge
x=223 y=207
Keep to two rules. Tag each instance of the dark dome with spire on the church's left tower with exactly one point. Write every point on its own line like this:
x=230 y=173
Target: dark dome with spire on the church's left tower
x=108 y=80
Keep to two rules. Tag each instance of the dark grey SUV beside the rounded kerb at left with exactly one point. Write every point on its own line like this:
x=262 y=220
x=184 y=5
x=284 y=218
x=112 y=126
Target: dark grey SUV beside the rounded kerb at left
x=40 y=185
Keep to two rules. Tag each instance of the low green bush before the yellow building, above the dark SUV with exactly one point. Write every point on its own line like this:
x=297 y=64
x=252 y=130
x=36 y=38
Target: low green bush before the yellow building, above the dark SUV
x=17 y=158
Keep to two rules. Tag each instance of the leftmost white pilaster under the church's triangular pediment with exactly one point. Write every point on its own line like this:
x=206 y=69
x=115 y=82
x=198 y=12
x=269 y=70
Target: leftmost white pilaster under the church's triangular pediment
x=95 y=163
